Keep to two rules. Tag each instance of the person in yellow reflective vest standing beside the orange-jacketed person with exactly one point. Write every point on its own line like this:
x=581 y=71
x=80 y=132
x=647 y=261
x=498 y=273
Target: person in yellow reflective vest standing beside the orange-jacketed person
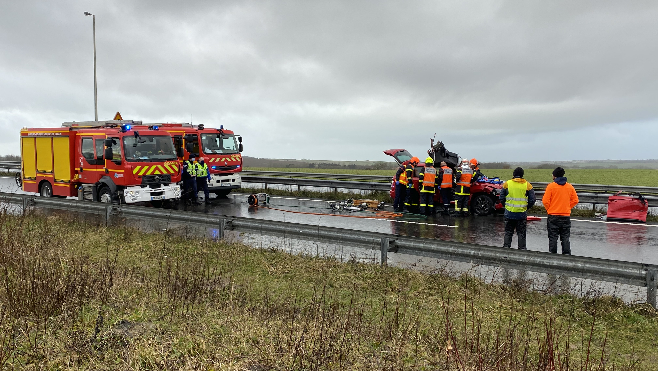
x=517 y=196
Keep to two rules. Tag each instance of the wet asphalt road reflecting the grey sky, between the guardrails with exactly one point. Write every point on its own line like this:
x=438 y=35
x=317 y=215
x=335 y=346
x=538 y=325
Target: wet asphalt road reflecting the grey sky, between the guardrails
x=593 y=238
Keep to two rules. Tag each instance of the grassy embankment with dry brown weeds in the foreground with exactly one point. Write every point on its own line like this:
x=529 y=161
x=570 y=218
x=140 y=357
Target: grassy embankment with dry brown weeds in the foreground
x=79 y=296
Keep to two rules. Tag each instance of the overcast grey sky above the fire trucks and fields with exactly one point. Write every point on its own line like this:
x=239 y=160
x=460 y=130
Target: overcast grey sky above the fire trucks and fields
x=496 y=80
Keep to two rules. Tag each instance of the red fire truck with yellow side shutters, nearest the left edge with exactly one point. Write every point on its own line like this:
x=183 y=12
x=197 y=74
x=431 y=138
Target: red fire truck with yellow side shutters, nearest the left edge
x=112 y=161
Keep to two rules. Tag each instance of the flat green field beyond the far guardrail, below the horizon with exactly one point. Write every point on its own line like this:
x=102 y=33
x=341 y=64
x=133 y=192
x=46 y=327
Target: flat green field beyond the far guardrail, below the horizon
x=629 y=177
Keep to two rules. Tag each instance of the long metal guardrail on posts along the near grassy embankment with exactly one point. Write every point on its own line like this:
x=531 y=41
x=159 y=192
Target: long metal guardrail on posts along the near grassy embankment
x=630 y=273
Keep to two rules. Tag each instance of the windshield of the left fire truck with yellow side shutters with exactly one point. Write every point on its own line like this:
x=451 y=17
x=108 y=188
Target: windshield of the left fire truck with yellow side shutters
x=149 y=148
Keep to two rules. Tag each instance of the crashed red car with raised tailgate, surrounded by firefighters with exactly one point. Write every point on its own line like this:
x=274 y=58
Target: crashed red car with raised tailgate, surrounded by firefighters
x=484 y=192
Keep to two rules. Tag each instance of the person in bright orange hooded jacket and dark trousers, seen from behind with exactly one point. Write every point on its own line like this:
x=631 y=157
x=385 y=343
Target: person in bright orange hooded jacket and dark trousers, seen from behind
x=559 y=198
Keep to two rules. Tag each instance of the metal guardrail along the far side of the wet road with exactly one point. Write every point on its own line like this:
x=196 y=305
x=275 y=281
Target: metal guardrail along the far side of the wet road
x=588 y=193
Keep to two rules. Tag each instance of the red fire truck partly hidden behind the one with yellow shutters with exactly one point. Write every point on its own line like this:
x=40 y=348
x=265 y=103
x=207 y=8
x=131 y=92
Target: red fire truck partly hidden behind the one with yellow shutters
x=220 y=149
